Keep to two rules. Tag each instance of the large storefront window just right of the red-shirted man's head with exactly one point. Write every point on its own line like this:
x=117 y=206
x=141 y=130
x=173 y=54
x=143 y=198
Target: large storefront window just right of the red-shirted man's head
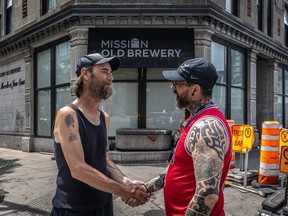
x=229 y=94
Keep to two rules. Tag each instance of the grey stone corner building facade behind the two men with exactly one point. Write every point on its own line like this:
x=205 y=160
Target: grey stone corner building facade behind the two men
x=41 y=42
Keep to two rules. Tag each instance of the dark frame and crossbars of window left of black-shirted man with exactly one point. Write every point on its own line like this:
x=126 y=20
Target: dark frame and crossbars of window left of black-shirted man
x=52 y=87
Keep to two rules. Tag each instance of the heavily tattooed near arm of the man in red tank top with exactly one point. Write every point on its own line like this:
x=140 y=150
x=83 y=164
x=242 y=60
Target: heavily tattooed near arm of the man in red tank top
x=207 y=144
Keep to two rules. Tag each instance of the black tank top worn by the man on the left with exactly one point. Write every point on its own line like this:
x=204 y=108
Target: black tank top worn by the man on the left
x=71 y=193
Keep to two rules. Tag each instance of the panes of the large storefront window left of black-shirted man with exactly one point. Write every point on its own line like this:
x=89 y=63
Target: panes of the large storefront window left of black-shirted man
x=52 y=85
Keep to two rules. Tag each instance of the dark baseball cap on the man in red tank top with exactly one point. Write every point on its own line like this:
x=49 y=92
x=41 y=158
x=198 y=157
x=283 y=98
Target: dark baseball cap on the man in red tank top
x=198 y=70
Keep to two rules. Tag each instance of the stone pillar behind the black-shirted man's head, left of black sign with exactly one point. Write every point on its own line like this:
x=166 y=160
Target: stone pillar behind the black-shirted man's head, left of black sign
x=79 y=47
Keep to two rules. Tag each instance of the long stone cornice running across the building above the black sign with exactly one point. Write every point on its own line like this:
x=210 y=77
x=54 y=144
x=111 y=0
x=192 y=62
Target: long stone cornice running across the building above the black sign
x=144 y=16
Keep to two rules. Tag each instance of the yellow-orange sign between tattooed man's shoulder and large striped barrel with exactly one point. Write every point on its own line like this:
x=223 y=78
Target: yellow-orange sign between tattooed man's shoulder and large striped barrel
x=242 y=138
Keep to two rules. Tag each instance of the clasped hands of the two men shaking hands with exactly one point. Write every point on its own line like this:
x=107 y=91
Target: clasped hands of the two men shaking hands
x=135 y=193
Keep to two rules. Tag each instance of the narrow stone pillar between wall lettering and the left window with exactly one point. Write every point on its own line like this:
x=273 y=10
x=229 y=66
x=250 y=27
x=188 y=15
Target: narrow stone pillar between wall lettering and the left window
x=27 y=139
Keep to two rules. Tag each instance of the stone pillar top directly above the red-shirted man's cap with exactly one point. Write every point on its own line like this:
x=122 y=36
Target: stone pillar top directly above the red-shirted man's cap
x=202 y=40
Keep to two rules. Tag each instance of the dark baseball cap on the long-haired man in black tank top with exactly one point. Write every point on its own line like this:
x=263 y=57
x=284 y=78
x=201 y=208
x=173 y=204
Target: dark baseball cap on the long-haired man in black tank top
x=96 y=59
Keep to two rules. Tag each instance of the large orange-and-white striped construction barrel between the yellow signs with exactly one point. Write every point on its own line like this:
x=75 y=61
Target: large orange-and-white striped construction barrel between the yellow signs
x=269 y=154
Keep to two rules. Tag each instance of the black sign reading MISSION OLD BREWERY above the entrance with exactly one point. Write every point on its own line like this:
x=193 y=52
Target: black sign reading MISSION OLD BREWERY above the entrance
x=143 y=47
